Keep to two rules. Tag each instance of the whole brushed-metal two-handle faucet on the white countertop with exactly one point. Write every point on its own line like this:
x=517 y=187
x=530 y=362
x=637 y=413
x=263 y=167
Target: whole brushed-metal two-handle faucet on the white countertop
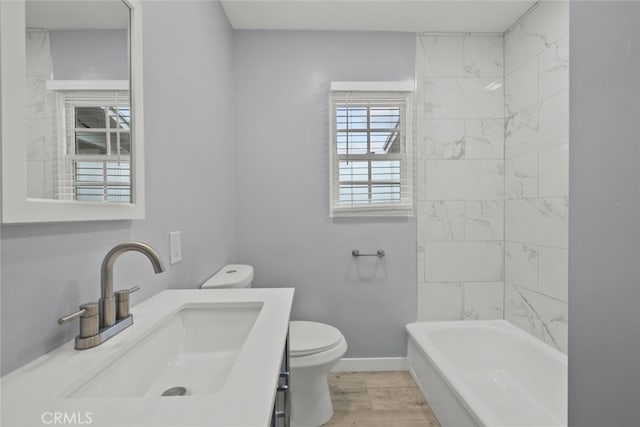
x=104 y=319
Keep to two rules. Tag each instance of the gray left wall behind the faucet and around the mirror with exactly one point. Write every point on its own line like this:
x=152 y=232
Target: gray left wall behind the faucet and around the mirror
x=49 y=269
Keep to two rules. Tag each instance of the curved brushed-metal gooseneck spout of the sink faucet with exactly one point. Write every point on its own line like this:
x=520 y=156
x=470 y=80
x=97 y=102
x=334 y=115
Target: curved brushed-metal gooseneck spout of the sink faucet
x=107 y=299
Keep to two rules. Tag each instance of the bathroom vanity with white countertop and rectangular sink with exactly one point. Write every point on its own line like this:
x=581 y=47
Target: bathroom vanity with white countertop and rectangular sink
x=192 y=357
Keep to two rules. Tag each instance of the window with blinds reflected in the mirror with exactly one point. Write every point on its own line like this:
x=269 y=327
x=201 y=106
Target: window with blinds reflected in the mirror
x=96 y=156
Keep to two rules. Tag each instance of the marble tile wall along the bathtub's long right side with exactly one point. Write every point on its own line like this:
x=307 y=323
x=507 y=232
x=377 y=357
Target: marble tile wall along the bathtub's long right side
x=536 y=173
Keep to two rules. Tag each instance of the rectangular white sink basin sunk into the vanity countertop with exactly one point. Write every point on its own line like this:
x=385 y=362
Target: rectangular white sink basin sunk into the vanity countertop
x=194 y=349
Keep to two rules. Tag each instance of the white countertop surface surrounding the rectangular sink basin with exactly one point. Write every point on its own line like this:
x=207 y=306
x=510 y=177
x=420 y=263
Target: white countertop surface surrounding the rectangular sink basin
x=37 y=389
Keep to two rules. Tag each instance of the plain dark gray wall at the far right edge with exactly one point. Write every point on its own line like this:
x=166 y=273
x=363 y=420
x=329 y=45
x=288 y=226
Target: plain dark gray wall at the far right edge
x=604 y=261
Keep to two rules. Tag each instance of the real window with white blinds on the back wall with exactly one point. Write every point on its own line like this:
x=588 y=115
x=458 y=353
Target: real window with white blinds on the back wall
x=371 y=149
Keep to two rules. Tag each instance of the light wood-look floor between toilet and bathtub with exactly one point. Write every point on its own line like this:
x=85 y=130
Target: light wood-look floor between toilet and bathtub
x=389 y=399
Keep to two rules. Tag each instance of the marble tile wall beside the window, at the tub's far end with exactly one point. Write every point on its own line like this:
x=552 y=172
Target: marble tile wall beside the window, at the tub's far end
x=460 y=168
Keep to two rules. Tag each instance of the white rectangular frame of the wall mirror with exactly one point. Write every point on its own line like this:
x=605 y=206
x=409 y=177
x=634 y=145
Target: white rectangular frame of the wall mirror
x=16 y=206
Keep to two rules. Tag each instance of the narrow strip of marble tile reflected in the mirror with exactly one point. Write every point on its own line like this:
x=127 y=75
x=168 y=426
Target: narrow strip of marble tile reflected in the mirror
x=40 y=109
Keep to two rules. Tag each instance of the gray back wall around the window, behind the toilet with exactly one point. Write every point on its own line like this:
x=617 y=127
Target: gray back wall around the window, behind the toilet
x=283 y=226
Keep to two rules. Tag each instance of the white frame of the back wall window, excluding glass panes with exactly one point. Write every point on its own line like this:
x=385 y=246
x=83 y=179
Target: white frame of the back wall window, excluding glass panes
x=399 y=94
